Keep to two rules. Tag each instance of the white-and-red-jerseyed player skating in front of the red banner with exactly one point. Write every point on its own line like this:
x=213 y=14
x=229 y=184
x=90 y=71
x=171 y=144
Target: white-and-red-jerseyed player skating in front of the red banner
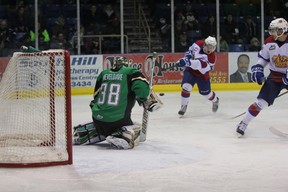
x=198 y=61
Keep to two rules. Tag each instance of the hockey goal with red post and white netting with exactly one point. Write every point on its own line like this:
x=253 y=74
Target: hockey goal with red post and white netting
x=35 y=110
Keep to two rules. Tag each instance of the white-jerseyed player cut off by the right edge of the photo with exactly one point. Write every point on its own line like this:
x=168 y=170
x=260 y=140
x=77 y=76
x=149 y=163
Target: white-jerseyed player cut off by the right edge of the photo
x=274 y=54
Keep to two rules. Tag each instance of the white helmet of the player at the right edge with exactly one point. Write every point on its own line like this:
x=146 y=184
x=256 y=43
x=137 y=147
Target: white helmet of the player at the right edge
x=278 y=27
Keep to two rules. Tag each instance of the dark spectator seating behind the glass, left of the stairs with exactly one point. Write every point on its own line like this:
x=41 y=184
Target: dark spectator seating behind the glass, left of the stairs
x=57 y=26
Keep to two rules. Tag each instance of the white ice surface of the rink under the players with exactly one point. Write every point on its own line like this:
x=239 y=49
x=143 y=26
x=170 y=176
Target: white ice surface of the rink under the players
x=196 y=153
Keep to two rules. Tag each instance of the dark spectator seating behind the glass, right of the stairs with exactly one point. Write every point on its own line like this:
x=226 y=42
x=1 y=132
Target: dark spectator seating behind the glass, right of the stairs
x=240 y=21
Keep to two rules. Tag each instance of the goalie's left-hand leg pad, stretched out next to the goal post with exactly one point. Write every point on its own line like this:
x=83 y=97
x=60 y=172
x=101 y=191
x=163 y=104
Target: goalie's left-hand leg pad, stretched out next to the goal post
x=85 y=134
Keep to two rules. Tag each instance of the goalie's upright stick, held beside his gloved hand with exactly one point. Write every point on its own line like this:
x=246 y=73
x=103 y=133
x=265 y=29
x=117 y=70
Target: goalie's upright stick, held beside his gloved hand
x=145 y=116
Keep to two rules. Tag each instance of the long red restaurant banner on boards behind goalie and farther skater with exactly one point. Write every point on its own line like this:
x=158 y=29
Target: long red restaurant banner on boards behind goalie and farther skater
x=166 y=71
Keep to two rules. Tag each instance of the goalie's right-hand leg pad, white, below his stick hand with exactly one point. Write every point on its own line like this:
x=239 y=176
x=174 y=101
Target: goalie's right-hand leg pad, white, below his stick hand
x=126 y=138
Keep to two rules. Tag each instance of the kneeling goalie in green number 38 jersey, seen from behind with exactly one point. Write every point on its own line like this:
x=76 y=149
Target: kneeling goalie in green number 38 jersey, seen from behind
x=115 y=94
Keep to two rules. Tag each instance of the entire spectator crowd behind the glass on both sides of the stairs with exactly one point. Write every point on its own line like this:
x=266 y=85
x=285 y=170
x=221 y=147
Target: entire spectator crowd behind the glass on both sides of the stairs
x=240 y=23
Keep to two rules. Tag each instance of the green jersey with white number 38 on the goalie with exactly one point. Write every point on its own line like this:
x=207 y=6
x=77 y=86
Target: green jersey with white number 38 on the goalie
x=115 y=93
